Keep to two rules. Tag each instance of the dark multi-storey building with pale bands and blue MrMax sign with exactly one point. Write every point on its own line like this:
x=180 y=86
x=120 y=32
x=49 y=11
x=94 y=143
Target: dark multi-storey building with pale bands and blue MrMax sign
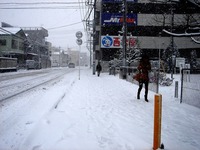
x=146 y=22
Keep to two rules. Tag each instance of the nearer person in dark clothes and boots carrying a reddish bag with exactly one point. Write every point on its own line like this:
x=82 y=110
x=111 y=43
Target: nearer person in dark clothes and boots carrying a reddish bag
x=144 y=67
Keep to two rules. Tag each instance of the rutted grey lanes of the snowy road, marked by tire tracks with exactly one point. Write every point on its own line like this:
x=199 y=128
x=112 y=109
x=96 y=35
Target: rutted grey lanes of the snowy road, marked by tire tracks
x=20 y=82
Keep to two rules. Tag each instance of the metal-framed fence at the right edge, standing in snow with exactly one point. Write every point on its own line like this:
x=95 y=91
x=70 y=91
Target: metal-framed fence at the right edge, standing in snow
x=190 y=87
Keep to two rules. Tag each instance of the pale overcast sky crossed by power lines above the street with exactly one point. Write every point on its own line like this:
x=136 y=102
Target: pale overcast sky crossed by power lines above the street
x=62 y=24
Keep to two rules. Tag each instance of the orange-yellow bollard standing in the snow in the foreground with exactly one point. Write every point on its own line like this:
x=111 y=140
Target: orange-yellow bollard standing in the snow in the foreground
x=157 y=121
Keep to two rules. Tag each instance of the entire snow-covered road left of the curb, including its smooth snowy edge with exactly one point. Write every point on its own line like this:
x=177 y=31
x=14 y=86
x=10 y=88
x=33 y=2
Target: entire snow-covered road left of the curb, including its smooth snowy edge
x=19 y=114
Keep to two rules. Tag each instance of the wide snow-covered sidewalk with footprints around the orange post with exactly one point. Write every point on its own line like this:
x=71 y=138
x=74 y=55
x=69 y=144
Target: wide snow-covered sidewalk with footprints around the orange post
x=102 y=113
